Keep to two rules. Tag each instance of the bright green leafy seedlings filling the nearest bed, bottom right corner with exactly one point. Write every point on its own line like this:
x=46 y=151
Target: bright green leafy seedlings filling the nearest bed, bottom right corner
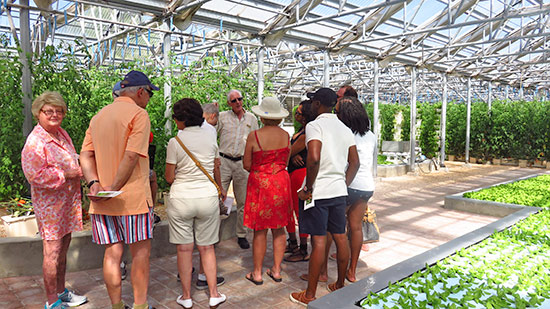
x=510 y=269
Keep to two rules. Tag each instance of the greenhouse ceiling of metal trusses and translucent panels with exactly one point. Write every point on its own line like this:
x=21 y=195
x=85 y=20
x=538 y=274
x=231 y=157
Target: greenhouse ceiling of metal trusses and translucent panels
x=501 y=45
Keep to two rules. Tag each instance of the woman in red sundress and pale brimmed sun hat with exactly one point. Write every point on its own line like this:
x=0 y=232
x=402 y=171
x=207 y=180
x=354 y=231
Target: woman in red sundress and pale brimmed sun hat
x=268 y=198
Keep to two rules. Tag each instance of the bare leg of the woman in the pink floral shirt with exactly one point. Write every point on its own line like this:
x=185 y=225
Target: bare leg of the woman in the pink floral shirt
x=52 y=250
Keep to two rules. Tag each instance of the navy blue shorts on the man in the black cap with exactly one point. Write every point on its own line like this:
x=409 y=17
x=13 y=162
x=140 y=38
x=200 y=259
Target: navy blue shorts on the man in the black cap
x=328 y=215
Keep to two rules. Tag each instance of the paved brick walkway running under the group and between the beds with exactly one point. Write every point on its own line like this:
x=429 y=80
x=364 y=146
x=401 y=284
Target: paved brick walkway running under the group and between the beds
x=409 y=215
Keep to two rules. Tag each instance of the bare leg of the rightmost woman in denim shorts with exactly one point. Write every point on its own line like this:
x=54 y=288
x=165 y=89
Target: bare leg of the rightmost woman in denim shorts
x=355 y=217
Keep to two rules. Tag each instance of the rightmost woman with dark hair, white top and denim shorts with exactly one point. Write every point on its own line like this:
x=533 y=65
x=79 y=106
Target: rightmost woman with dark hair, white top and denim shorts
x=352 y=113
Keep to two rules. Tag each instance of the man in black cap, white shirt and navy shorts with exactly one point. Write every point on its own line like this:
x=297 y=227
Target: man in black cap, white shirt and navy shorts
x=331 y=147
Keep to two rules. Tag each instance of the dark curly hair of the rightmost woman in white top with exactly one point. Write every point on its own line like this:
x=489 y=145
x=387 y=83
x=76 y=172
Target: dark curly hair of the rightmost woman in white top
x=353 y=114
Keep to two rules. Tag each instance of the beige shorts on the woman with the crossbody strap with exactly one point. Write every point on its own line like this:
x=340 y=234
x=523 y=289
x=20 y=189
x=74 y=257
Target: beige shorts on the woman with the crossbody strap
x=194 y=220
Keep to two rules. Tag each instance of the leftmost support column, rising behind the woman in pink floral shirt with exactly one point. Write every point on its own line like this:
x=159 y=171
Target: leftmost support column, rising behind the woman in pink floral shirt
x=25 y=55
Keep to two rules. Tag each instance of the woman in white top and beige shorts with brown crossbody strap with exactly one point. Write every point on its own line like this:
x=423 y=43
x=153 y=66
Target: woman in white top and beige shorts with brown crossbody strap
x=193 y=213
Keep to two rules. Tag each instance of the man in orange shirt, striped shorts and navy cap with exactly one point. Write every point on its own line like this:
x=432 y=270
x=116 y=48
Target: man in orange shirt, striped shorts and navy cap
x=114 y=158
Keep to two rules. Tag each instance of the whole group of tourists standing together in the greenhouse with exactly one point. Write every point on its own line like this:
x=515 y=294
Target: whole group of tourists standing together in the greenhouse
x=321 y=176
